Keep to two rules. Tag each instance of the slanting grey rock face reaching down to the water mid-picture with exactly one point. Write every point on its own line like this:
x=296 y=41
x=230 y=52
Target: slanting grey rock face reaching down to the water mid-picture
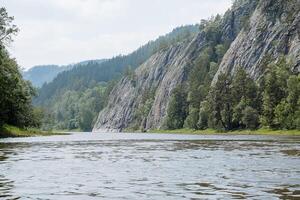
x=161 y=73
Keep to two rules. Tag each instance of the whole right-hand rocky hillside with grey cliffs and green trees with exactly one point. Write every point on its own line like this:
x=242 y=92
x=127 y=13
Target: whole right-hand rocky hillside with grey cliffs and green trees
x=240 y=72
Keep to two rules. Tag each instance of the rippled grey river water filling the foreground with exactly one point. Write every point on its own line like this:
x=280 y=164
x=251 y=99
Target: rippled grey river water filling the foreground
x=144 y=166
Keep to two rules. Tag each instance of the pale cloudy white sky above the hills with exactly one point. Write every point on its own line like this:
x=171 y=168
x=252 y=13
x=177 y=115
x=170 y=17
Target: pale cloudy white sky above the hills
x=69 y=31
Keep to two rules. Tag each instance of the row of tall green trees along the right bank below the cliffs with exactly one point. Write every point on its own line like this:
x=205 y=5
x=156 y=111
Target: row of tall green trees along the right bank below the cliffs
x=238 y=102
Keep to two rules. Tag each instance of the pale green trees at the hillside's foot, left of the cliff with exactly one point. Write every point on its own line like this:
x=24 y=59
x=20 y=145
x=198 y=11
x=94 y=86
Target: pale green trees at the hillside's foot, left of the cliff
x=77 y=109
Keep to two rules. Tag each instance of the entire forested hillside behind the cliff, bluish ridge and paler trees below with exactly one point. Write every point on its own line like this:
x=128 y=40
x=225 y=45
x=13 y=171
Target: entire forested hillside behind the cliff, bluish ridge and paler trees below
x=75 y=97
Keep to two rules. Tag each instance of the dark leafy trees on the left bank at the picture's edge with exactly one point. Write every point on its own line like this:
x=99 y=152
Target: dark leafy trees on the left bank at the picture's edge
x=16 y=93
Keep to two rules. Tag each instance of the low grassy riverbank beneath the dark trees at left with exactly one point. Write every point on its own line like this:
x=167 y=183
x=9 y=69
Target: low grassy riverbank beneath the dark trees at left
x=12 y=131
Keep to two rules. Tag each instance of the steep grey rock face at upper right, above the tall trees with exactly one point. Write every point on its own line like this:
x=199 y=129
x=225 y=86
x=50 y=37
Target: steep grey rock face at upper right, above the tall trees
x=273 y=30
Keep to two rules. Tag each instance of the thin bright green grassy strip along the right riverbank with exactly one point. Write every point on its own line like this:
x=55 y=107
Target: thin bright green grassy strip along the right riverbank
x=236 y=132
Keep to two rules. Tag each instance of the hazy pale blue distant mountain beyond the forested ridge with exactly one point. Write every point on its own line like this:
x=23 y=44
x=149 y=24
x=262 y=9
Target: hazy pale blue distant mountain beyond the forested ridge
x=38 y=75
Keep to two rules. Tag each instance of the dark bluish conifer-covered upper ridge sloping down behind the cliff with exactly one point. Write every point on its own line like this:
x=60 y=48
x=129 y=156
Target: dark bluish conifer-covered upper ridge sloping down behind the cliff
x=83 y=75
